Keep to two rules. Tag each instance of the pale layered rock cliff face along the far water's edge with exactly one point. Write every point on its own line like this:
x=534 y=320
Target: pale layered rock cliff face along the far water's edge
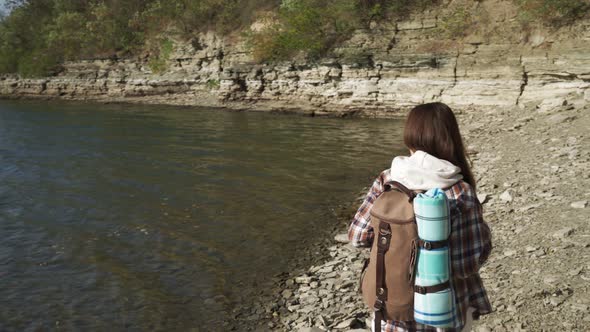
x=378 y=72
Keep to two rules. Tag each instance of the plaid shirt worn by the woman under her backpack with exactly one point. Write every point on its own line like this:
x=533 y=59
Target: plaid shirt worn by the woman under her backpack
x=470 y=244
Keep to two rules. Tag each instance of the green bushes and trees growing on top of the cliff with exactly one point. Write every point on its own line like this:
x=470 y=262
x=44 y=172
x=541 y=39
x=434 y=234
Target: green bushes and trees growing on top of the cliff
x=39 y=34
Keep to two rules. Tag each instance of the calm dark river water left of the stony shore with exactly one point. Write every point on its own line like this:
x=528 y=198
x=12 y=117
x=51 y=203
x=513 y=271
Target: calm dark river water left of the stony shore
x=128 y=217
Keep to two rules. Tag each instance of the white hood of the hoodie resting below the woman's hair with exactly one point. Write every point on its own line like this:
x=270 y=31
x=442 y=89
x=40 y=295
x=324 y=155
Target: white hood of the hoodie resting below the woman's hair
x=422 y=171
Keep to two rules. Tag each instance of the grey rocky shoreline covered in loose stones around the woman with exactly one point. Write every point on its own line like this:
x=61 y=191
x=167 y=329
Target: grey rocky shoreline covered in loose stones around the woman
x=533 y=170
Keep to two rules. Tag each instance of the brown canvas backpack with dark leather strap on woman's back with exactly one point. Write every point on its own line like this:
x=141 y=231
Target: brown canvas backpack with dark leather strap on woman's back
x=393 y=256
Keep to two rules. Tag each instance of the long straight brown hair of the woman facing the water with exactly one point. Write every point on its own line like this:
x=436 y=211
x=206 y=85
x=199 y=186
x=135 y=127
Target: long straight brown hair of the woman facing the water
x=433 y=129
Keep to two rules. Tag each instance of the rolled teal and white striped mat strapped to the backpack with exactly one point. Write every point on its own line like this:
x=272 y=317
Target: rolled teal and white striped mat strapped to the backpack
x=432 y=268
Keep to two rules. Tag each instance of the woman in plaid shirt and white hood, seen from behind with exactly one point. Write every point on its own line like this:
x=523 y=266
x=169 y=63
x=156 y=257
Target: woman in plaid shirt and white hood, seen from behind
x=438 y=160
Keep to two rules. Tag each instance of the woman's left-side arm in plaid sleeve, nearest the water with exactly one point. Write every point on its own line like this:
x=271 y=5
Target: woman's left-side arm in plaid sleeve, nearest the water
x=360 y=232
